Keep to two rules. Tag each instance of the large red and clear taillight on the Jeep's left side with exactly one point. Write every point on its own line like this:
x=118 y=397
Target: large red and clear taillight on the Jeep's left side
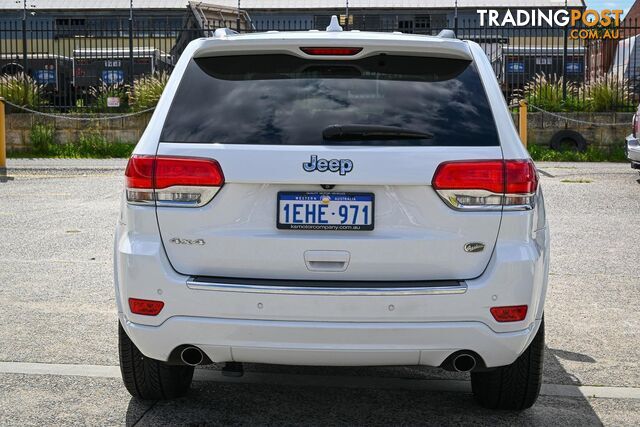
x=172 y=181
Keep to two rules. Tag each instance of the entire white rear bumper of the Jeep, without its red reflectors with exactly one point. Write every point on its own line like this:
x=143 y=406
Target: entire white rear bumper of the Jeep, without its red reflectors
x=313 y=328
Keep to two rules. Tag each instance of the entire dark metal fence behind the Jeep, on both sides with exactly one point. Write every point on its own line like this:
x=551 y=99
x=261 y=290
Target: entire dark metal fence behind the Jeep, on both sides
x=77 y=65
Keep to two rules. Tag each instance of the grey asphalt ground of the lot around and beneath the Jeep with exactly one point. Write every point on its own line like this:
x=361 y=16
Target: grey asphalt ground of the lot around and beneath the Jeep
x=58 y=348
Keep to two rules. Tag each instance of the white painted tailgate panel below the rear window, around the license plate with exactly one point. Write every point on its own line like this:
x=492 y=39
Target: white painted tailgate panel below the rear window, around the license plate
x=416 y=235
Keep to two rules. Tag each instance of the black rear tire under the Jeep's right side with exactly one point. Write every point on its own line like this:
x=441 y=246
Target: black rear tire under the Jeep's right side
x=514 y=386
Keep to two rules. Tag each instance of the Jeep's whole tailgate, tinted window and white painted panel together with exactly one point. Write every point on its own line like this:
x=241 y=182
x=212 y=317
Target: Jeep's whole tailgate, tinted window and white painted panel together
x=261 y=118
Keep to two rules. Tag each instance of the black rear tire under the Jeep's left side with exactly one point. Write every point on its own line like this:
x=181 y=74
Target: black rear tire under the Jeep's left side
x=150 y=379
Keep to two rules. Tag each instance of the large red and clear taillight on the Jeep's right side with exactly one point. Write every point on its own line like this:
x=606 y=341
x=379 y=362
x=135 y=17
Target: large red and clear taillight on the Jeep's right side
x=487 y=184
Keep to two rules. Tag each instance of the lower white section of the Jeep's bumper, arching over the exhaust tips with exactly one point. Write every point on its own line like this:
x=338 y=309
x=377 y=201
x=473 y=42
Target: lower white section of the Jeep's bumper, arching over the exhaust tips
x=329 y=343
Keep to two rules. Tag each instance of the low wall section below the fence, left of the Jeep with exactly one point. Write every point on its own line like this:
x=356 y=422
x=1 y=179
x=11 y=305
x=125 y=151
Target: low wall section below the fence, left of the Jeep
x=18 y=128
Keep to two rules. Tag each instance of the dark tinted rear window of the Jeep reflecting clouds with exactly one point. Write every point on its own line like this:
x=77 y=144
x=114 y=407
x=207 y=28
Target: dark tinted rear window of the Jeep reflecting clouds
x=286 y=100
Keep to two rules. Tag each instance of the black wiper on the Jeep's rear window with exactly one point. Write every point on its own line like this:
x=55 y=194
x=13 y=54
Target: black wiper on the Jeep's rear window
x=371 y=132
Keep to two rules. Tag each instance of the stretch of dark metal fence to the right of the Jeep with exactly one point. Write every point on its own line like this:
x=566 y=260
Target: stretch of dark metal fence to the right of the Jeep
x=557 y=70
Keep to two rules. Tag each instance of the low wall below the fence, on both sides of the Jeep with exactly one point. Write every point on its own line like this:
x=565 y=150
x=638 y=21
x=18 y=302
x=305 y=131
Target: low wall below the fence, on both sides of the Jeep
x=541 y=128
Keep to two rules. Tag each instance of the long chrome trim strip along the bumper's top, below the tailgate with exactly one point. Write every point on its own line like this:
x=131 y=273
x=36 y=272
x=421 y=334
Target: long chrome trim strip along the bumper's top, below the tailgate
x=293 y=290
